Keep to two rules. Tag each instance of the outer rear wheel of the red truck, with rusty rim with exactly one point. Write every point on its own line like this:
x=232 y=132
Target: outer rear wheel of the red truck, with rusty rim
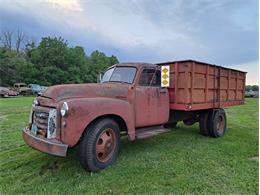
x=217 y=123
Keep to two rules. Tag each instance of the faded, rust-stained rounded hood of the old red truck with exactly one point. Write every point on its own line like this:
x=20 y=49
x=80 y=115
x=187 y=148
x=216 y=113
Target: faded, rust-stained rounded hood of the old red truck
x=62 y=92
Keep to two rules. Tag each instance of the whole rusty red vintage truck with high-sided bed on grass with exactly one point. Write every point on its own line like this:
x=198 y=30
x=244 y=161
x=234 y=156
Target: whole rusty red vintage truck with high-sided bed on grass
x=137 y=100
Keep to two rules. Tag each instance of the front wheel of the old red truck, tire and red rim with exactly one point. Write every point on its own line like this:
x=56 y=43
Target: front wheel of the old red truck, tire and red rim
x=100 y=145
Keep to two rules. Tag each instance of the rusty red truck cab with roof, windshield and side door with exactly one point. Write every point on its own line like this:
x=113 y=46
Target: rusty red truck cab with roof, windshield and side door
x=149 y=101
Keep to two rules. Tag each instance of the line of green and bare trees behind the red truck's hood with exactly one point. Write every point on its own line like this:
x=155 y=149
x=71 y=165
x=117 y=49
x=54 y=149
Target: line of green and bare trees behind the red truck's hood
x=49 y=62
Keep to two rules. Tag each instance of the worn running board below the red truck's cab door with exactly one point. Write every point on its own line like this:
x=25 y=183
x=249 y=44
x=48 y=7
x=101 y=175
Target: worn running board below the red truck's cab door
x=142 y=133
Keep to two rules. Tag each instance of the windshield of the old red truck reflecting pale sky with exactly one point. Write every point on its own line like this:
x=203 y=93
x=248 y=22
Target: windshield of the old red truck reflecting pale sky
x=119 y=74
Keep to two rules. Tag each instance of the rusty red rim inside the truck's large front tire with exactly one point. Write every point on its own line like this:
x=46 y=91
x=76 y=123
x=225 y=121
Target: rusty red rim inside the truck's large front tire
x=105 y=145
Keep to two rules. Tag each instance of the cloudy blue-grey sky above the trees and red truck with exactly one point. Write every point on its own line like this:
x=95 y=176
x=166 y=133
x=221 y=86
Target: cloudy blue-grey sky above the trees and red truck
x=222 y=32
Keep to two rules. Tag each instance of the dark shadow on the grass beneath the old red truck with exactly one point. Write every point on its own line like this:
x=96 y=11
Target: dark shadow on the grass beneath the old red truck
x=58 y=166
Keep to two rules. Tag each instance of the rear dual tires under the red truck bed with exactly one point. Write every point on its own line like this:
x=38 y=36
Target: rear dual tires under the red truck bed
x=213 y=123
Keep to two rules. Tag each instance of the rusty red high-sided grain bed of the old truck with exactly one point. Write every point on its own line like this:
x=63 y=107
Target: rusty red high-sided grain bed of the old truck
x=197 y=85
